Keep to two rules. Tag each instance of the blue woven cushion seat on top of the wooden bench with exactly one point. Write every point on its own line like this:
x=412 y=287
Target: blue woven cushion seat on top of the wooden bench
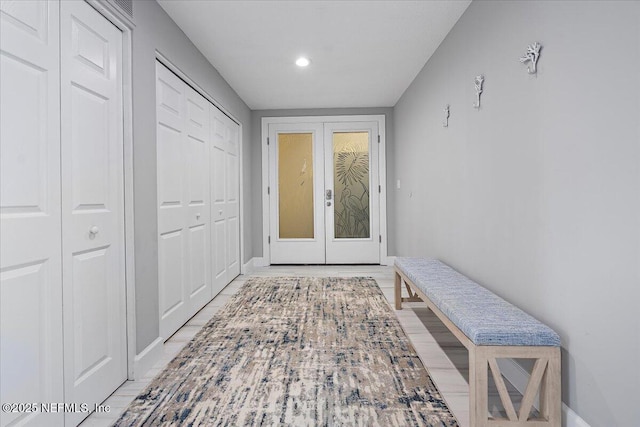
x=485 y=318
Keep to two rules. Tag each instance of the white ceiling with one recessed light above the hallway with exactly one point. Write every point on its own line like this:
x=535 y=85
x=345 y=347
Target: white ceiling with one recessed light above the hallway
x=363 y=53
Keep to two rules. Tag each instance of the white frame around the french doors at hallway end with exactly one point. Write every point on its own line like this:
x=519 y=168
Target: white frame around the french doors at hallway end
x=382 y=161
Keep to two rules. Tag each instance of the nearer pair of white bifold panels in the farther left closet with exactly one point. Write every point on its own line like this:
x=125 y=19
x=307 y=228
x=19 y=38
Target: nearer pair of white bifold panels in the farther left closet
x=183 y=200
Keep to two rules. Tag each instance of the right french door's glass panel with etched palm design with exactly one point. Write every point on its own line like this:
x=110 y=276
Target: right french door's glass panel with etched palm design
x=351 y=185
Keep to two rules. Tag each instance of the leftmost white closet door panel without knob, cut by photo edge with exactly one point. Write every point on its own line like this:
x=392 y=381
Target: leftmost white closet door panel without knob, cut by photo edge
x=30 y=259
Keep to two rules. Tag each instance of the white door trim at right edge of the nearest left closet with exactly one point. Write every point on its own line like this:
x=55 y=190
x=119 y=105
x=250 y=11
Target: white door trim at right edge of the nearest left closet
x=125 y=25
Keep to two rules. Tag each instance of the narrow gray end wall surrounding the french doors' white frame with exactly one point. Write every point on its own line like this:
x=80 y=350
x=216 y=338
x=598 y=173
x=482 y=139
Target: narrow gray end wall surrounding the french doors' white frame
x=256 y=162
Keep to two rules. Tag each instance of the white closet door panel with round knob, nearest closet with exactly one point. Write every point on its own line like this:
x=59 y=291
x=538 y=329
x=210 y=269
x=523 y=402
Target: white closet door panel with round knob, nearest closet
x=92 y=206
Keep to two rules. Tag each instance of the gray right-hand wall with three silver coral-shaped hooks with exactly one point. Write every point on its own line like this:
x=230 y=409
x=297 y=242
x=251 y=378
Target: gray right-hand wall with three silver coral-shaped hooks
x=537 y=194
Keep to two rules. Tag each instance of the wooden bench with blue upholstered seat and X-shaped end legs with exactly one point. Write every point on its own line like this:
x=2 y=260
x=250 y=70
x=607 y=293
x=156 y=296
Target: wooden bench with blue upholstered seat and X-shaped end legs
x=490 y=328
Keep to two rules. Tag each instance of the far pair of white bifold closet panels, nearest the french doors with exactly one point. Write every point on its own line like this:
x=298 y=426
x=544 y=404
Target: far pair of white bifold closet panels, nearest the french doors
x=225 y=230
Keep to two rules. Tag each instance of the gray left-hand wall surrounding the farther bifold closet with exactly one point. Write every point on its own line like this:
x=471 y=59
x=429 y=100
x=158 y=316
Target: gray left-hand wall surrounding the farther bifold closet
x=156 y=31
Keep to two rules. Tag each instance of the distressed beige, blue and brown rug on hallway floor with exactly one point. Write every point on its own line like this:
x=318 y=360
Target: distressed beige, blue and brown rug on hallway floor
x=296 y=352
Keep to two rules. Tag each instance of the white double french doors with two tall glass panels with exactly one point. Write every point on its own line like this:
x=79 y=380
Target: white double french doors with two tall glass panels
x=324 y=193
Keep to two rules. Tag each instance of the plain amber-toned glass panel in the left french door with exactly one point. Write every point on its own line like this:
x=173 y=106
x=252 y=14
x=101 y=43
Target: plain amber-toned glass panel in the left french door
x=295 y=185
